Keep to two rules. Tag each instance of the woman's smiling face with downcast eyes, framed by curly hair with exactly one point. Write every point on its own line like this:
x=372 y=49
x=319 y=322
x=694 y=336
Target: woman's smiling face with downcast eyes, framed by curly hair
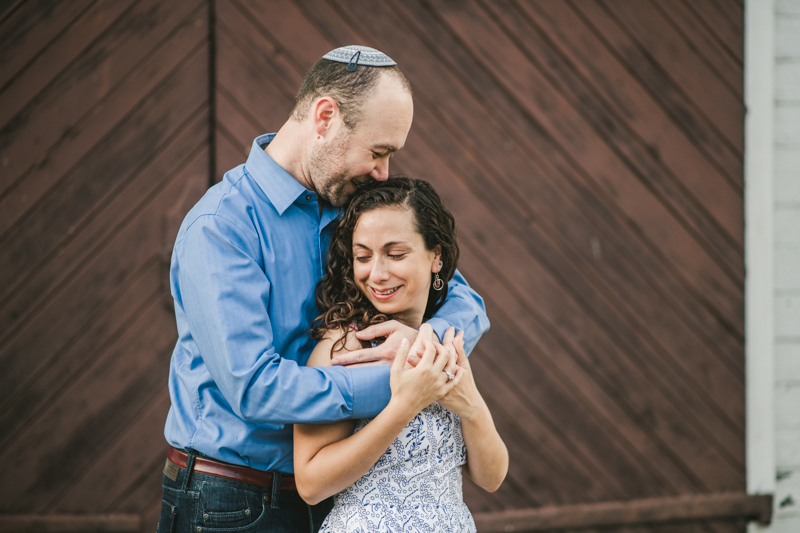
x=391 y=265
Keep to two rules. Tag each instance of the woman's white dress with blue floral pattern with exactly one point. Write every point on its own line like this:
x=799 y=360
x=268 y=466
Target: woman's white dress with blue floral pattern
x=415 y=486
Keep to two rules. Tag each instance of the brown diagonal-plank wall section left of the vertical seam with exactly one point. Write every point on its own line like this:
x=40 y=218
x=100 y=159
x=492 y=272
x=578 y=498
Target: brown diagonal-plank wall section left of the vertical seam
x=104 y=143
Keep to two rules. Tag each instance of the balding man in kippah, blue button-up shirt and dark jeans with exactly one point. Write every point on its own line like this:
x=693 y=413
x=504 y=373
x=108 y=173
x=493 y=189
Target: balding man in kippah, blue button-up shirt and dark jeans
x=244 y=267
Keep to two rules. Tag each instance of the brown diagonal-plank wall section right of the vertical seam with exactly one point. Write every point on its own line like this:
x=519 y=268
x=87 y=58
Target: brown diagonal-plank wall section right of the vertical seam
x=591 y=152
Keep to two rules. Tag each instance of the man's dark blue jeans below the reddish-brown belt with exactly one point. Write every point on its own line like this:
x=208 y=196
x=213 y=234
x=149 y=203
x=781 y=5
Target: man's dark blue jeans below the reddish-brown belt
x=199 y=503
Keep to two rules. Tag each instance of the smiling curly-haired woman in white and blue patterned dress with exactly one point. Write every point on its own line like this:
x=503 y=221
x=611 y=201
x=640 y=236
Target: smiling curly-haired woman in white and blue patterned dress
x=391 y=258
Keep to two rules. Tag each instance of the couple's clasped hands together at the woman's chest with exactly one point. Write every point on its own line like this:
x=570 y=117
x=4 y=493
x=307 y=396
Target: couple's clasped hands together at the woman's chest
x=420 y=366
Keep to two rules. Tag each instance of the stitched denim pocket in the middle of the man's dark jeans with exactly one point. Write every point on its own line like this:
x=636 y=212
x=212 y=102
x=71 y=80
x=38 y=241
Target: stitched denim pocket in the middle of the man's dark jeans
x=224 y=507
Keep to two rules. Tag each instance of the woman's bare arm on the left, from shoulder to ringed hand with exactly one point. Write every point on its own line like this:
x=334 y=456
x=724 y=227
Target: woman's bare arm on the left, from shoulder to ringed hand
x=329 y=458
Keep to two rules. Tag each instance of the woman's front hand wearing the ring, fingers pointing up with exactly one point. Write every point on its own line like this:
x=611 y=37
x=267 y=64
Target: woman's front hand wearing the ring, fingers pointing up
x=416 y=387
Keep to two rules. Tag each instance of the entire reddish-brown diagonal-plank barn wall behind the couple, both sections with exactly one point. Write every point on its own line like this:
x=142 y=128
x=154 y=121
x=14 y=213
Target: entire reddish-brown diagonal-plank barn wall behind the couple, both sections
x=590 y=150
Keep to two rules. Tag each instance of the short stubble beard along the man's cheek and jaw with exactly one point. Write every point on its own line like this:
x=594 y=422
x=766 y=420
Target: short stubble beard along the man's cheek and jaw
x=328 y=171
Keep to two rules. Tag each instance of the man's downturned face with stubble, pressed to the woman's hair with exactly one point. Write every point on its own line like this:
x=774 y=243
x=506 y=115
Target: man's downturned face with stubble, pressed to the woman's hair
x=352 y=157
